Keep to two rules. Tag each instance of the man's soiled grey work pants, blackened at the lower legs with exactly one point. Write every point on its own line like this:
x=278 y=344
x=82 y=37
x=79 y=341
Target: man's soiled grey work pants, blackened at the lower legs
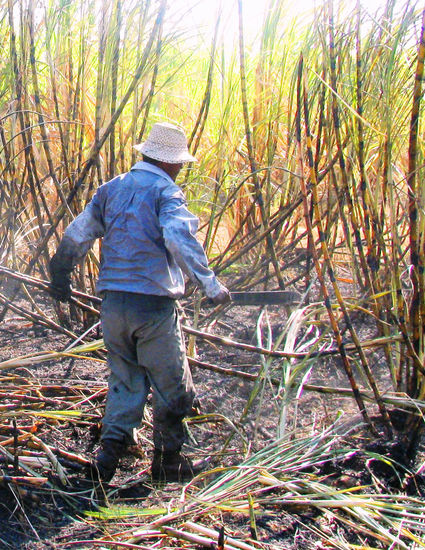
x=145 y=351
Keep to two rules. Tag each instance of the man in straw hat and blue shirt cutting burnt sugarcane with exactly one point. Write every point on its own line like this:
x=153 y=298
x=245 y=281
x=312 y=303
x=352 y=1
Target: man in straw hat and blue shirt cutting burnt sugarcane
x=148 y=239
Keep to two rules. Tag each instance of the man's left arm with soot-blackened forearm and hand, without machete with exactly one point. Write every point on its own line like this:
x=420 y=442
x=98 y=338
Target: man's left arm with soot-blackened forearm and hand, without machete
x=76 y=242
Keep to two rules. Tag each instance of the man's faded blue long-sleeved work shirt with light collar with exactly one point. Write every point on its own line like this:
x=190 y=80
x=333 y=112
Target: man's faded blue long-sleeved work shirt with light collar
x=148 y=236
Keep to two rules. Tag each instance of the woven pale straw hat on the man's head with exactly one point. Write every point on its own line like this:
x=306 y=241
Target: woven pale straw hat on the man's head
x=166 y=143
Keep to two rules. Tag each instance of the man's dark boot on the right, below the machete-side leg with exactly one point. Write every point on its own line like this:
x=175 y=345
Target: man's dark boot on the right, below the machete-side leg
x=171 y=466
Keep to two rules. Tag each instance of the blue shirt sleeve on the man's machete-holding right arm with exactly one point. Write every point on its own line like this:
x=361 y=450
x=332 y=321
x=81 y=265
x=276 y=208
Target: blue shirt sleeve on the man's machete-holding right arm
x=179 y=227
